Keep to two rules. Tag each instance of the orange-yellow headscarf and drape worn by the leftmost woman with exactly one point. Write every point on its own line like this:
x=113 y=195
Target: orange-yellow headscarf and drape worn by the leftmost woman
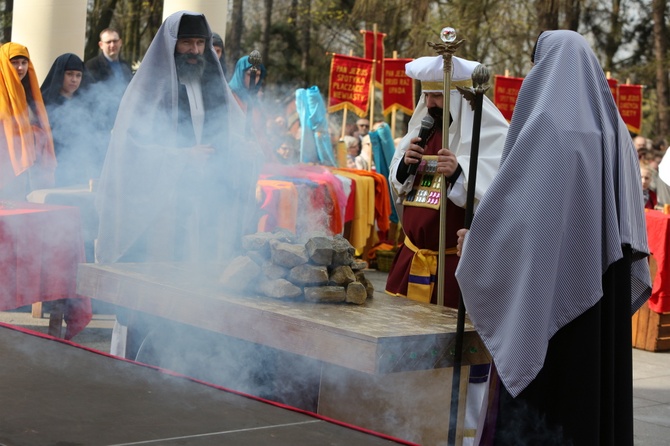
x=22 y=149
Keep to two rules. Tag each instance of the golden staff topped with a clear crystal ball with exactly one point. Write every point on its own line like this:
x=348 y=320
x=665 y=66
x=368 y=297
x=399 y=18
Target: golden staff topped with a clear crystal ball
x=446 y=49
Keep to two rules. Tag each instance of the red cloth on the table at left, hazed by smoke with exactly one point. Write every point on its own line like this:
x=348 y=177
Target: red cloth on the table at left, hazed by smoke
x=40 y=248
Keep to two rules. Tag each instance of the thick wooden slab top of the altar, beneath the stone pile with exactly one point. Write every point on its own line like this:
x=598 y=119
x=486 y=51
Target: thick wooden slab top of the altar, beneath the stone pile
x=385 y=335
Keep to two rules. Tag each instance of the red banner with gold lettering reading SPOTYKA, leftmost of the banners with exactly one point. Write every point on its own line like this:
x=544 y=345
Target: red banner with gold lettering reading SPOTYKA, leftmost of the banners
x=349 y=85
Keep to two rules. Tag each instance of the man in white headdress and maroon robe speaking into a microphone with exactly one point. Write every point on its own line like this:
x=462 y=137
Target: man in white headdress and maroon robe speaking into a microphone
x=418 y=198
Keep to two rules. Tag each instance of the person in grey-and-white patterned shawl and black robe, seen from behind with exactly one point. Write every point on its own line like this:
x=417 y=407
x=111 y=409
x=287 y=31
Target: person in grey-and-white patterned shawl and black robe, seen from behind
x=554 y=264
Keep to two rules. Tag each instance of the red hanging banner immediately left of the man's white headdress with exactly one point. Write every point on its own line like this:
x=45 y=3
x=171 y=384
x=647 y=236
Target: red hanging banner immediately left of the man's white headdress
x=398 y=91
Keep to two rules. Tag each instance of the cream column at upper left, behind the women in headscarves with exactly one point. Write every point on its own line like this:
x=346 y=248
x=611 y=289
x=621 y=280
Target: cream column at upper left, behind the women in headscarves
x=49 y=28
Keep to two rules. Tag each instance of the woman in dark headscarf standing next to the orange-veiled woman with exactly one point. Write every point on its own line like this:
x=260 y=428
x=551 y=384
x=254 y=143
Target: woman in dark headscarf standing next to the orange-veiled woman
x=70 y=116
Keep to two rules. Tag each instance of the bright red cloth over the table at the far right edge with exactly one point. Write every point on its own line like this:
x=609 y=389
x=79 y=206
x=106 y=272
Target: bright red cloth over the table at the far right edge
x=658 y=234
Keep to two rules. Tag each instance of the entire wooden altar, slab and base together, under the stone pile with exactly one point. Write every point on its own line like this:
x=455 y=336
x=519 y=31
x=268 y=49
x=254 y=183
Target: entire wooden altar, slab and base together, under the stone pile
x=377 y=365
